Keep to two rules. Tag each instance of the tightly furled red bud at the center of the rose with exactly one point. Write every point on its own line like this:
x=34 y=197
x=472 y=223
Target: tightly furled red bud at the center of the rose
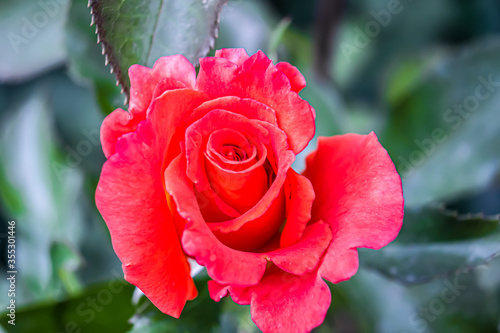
x=235 y=169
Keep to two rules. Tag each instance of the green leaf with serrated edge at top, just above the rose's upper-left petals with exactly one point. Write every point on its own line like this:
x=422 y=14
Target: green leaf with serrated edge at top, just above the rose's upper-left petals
x=140 y=32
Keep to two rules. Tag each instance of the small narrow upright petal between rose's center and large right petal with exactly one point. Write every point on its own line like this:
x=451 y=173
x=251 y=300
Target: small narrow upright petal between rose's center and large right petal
x=300 y=197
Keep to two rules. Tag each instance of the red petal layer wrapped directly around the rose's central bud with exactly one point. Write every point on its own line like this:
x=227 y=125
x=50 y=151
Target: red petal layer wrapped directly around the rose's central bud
x=265 y=217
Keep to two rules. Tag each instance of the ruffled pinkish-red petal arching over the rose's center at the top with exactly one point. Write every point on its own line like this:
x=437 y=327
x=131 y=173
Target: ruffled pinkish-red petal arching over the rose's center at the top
x=258 y=79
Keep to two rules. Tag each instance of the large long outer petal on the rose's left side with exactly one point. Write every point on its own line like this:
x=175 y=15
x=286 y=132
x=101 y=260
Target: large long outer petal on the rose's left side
x=132 y=201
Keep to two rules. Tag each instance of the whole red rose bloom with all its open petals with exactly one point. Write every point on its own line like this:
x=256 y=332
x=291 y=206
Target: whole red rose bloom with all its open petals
x=200 y=167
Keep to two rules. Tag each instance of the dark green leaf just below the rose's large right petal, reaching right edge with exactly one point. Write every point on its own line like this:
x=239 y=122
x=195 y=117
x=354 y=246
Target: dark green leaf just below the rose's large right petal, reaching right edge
x=433 y=244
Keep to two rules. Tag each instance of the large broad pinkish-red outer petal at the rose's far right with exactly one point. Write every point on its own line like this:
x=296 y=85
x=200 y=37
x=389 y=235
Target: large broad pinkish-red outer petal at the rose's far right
x=358 y=192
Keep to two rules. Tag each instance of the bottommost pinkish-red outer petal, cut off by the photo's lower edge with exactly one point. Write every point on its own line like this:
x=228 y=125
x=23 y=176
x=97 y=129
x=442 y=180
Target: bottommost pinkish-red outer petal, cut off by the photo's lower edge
x=282 y=302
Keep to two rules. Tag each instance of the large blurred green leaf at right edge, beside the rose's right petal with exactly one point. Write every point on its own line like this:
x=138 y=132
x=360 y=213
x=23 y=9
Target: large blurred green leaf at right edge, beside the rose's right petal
x=442 y=134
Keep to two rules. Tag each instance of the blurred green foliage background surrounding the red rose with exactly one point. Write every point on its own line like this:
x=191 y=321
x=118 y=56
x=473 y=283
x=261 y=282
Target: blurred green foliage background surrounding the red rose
x=424 y=75
